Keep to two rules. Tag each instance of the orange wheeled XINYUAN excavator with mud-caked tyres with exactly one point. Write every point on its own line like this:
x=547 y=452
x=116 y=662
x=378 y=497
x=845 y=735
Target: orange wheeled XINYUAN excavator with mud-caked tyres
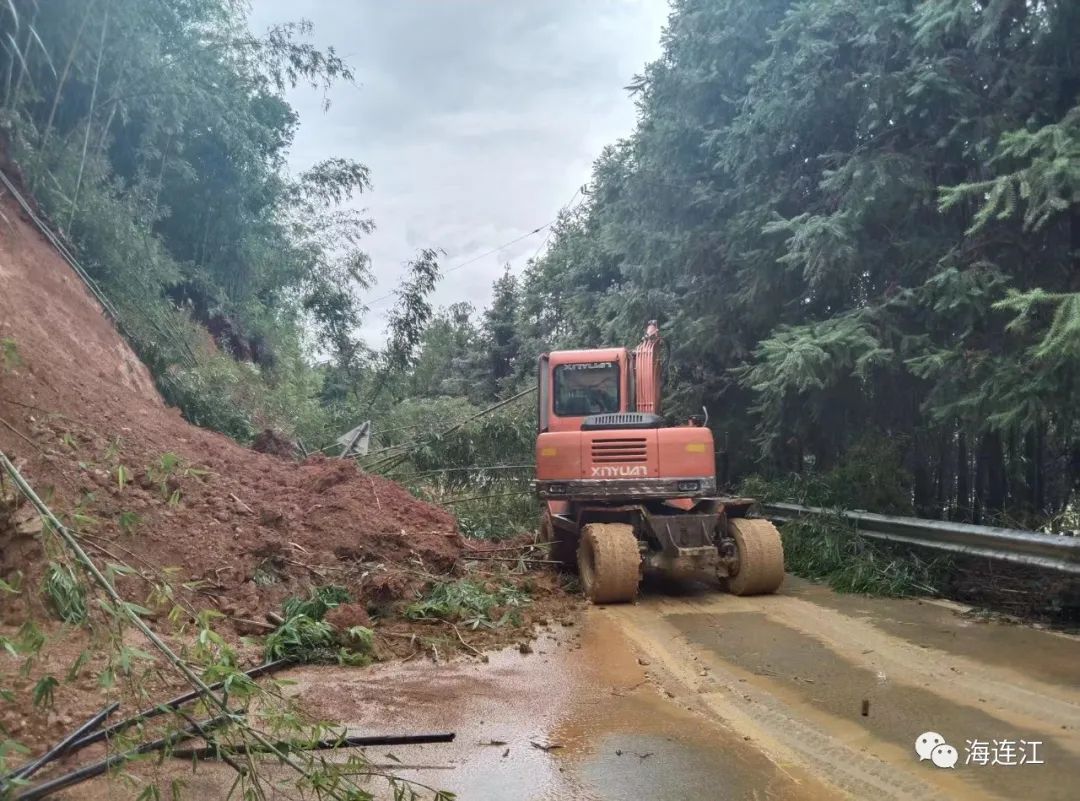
x=626 y=493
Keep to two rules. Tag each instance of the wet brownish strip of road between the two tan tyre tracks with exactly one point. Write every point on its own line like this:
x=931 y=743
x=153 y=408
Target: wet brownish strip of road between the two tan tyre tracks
x=803 y=670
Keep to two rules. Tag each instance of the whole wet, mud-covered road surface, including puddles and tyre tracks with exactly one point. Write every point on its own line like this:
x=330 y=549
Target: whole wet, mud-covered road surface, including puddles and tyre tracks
x=693 y=695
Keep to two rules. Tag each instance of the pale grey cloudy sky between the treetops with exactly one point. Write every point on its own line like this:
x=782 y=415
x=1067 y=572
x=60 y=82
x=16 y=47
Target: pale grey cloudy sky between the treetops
x=479 y=119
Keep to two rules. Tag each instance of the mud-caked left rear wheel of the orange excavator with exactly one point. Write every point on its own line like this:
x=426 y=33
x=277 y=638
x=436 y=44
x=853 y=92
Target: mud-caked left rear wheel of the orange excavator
x=610 y=563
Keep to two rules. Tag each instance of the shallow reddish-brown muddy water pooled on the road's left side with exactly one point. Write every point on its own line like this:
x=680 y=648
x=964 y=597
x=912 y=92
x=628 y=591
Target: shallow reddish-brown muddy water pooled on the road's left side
x=579 y=718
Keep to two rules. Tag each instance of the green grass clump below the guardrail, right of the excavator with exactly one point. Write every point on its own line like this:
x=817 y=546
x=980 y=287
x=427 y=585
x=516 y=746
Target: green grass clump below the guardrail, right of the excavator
x=834 y=553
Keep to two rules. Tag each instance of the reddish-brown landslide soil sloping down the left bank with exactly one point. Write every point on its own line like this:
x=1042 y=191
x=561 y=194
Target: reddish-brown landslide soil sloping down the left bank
x=84 y=422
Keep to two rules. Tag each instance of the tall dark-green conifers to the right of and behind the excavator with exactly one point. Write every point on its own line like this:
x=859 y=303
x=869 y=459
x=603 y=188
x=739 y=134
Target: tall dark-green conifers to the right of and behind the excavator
x=859 y=223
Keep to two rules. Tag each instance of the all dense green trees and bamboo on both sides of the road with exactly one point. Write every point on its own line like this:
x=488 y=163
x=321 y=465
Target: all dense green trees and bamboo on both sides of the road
x=858 y=223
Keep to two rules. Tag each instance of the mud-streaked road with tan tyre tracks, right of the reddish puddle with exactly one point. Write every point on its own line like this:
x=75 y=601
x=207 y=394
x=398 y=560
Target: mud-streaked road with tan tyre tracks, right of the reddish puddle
x=793 y=675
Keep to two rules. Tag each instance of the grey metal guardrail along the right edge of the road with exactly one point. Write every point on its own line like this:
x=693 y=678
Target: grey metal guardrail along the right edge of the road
x=1052 y=552
